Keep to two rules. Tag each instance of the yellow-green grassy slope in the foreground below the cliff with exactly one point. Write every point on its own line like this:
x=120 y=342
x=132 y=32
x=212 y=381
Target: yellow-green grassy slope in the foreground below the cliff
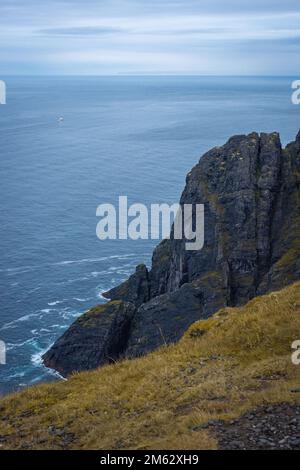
x=238 y=359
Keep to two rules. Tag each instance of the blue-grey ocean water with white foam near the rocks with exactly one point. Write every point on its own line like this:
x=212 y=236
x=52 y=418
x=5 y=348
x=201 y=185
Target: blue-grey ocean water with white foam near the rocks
x=134 y=136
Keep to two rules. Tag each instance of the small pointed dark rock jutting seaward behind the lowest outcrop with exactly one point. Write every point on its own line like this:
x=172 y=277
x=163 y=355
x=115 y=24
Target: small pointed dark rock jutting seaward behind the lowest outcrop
x=136 y=289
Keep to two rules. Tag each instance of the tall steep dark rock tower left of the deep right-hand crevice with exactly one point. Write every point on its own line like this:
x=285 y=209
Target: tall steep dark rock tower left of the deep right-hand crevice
x=238 y=184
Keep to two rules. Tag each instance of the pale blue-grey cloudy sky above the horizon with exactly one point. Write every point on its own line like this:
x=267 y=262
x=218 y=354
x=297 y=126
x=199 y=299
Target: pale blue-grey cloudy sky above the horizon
x=223 y=37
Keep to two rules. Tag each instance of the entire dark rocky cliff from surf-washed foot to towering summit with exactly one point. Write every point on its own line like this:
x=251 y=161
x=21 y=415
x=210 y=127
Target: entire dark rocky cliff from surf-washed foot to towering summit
x=250 y=188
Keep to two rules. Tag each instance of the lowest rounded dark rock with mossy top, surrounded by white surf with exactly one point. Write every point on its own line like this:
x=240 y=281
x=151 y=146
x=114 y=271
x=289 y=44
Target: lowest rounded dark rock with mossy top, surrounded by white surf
x=96 y=338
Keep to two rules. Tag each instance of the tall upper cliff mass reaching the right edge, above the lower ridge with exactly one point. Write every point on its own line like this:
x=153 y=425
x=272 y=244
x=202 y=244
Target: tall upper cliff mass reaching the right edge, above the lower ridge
x=250 y=189
